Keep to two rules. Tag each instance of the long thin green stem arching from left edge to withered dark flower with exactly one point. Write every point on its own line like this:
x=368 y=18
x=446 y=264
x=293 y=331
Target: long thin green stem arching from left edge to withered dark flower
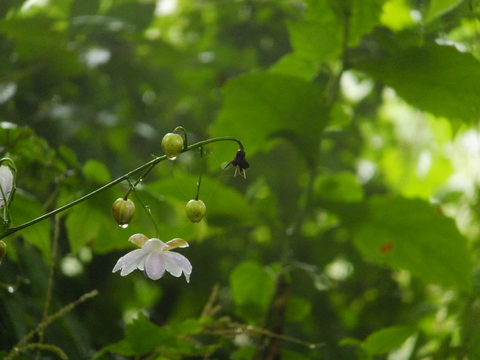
x=147 y=167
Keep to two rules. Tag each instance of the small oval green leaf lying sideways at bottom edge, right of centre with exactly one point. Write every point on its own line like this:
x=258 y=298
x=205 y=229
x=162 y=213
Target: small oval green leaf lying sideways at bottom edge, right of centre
x=388 y=339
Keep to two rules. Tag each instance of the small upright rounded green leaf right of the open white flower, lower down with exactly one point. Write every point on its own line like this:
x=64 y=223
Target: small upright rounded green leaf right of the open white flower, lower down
x=252 y=289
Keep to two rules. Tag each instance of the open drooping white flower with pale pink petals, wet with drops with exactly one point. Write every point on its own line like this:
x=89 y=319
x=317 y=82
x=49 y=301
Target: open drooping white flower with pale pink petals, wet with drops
x=154 y=258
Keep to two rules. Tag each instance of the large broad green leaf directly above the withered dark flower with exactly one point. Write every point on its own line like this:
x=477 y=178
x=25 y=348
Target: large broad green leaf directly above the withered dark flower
x=262 y=105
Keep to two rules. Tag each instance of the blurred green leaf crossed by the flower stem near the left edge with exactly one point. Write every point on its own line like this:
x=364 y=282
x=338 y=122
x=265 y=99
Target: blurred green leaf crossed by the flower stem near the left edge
x=25 y=208
